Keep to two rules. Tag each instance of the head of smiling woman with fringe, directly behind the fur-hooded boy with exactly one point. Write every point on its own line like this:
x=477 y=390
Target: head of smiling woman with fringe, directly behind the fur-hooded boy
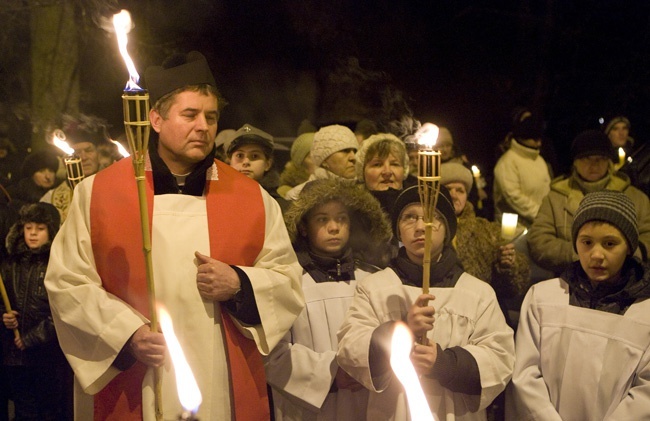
x=383 y=167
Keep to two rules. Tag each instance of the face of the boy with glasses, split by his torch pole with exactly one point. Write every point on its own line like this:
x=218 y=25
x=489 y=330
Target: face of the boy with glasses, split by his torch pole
x=411 y=233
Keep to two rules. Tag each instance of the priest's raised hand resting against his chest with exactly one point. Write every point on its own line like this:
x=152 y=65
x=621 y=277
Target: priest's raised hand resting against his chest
x=215 y=280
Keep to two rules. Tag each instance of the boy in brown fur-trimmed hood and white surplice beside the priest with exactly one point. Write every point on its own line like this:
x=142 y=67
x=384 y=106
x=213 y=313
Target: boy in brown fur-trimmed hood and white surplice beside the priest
x=331 y=225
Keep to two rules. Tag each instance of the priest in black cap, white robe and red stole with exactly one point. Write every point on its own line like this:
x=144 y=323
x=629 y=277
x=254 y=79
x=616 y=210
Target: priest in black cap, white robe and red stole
x=223 y=266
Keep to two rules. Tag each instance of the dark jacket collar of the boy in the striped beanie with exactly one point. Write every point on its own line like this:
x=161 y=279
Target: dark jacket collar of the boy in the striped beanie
x=633 y=286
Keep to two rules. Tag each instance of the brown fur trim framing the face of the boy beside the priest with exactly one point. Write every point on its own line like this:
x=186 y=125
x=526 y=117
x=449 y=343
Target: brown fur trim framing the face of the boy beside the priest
x=370 y=226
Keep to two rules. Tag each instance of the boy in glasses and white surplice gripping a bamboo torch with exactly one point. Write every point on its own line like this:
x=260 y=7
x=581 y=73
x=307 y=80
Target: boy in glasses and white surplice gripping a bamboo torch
x=467 y=354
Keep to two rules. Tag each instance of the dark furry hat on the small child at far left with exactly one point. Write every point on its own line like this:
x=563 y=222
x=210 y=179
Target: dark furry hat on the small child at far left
x=42 y=213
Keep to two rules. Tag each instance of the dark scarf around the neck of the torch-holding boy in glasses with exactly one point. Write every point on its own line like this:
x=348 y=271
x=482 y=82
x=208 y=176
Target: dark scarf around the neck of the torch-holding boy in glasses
x=443 y=274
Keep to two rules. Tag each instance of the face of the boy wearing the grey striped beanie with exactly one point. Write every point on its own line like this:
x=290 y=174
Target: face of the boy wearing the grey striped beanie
x=602 y=250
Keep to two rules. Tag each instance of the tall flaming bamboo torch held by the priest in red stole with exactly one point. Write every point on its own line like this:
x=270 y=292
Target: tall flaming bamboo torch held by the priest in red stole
x=135 y=103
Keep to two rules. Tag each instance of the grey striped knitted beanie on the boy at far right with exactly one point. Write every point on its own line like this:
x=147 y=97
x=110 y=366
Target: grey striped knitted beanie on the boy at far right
x=612 y=207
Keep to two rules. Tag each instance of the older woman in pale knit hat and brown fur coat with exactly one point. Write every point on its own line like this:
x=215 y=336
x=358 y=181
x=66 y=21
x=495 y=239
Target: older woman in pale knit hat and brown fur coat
x=478 y=241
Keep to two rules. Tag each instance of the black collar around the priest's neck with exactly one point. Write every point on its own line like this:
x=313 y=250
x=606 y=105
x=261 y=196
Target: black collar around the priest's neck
x=164 y=181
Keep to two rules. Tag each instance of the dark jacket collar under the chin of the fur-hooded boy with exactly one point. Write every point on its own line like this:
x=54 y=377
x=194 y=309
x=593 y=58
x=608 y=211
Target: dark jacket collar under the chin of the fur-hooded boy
x=327 y=269
